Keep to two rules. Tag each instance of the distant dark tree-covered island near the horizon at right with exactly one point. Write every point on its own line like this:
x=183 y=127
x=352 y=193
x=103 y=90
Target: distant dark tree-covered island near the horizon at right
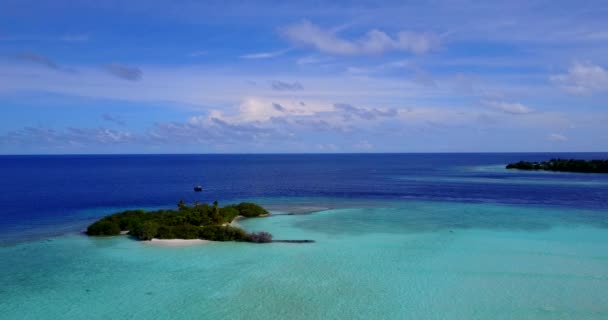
x=563 y=165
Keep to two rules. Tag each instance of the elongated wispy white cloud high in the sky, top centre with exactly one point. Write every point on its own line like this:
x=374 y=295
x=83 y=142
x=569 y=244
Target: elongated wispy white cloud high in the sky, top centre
x=373 y=42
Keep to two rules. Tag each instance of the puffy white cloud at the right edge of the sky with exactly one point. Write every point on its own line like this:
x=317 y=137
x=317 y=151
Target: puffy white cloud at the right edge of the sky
x=582 y=78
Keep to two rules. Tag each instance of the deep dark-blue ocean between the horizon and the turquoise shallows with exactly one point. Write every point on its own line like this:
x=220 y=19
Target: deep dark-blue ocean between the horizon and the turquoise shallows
x=49 y=195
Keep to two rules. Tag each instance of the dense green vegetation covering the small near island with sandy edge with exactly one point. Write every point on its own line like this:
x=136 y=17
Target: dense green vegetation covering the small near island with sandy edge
x=199 y=221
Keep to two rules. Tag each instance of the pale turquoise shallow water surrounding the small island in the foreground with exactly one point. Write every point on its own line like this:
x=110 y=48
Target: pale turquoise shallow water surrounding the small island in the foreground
x=404 y=261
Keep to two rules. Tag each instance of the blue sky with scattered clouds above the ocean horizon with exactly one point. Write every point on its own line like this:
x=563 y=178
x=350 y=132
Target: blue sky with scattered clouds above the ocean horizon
x=265 y=76
